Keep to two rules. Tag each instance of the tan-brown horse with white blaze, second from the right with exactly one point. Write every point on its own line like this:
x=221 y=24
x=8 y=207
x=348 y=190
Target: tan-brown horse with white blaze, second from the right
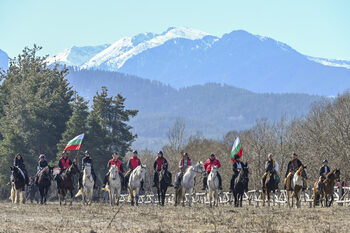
x=294 y=188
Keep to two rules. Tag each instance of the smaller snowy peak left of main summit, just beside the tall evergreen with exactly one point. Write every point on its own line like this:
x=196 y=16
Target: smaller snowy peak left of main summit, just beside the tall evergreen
x=77 y=56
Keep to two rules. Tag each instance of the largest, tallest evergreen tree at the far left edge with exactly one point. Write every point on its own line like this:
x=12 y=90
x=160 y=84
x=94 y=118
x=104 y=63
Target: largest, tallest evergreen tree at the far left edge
x=34 y=108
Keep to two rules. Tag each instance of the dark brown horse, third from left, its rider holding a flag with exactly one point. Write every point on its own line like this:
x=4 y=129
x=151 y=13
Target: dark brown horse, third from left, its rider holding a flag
x=66 y=182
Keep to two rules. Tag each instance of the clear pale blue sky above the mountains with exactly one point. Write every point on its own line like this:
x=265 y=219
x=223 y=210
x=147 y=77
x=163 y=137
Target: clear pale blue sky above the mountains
x=313 y=27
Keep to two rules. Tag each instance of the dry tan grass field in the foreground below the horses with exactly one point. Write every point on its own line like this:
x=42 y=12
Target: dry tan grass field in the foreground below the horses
x=199 y=218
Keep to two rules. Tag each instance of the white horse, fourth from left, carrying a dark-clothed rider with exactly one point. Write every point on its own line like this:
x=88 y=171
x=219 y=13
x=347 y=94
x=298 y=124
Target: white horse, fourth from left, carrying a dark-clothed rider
x=87 y=185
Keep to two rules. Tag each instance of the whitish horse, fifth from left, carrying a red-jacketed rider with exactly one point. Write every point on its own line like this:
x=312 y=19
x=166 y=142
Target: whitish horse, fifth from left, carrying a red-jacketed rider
x=114 y=185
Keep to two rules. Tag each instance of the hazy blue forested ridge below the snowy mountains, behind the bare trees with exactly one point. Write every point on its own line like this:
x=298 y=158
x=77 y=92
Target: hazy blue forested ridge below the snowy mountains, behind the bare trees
x=212 y=109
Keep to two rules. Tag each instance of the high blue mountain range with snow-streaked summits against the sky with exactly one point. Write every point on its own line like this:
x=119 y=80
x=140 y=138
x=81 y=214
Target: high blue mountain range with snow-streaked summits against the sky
x=183 y=57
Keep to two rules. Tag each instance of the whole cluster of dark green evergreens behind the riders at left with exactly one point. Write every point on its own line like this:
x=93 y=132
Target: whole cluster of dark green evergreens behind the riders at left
x=40 y=113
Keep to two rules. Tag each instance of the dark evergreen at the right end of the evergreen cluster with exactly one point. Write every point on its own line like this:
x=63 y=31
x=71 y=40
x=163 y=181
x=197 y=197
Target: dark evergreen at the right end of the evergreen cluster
x=108 y=130
